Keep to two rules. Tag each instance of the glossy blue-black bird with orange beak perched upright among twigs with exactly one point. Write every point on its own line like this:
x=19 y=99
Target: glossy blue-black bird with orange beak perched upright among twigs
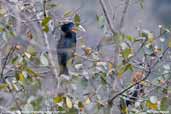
x=66 y=46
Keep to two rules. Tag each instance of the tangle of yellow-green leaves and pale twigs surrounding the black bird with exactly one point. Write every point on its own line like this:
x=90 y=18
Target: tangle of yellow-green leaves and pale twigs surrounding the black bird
x=27 y=73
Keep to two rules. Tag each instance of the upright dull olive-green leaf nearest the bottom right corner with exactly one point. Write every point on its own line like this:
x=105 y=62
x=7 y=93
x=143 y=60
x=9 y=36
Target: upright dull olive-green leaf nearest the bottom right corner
x=164 y=104
